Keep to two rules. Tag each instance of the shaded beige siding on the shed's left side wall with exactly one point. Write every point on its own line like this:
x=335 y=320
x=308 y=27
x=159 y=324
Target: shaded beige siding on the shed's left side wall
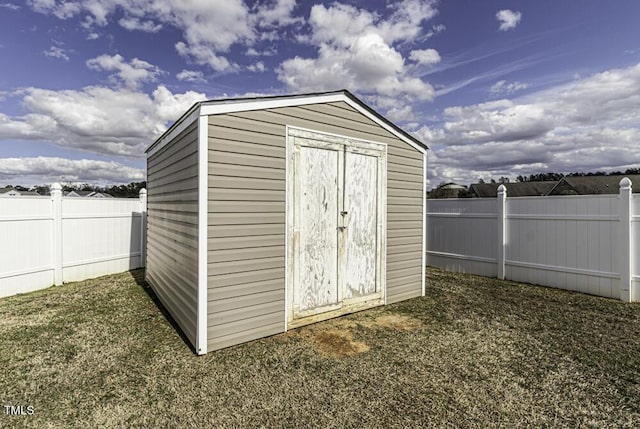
x=172 y=228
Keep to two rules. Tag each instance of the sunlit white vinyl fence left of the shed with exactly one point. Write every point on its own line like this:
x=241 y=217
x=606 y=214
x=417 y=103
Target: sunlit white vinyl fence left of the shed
x=46 y=241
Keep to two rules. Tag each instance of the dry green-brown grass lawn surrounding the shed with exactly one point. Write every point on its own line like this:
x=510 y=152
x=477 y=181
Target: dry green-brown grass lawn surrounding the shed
x=475 y=352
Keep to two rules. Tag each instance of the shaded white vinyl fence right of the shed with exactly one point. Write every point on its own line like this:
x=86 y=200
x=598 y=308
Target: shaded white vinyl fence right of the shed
x=587 y=243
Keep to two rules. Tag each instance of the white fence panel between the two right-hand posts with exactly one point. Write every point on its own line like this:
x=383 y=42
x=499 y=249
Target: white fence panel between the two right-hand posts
x=565 y=242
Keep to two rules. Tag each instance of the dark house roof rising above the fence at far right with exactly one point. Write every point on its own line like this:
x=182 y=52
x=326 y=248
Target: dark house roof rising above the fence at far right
x=592 y=185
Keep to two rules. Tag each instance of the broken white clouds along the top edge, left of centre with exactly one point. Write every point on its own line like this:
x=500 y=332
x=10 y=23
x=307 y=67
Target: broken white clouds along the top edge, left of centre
x=209 y=28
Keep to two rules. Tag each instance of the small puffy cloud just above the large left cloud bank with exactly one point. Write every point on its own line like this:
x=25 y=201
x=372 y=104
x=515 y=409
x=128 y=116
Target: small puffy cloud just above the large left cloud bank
x=132 y=74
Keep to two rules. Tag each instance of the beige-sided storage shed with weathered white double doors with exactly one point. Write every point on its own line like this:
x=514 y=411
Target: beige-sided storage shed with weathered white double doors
x=274 y=212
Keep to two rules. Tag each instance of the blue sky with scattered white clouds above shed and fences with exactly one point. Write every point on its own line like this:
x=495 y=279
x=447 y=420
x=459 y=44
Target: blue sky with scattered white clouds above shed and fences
x=496 y=88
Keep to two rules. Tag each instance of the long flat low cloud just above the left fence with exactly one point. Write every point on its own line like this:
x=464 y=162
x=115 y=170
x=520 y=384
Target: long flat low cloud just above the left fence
x=51 y=169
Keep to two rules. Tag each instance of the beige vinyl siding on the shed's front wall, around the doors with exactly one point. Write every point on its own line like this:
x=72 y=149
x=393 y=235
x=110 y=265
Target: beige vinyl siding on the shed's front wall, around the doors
x=246 y=247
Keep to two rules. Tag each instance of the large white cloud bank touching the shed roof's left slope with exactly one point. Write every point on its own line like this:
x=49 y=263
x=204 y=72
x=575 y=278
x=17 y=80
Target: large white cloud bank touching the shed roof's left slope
x=97 y=119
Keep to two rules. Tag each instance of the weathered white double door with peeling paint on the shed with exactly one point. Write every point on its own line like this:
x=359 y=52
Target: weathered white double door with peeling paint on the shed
x=337 y=236
